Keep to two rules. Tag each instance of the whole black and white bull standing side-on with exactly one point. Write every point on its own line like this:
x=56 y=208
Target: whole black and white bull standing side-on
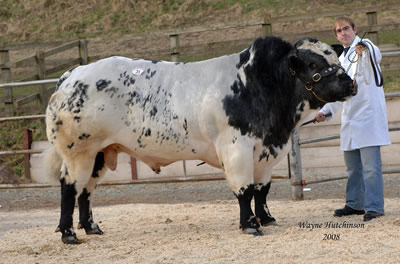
x=234 y=112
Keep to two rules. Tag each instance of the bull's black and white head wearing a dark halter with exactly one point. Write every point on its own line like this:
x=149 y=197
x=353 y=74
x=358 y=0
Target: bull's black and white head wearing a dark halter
x=317 y=66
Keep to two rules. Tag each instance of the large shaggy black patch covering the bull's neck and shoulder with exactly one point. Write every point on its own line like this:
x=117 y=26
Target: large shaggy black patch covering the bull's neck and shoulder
x=265 y=107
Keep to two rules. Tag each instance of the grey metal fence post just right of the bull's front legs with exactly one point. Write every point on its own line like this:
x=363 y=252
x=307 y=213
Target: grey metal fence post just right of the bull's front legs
x=296 y=168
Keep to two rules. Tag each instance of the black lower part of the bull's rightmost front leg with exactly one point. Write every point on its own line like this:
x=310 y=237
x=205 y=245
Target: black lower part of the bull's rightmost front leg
x=260 y=201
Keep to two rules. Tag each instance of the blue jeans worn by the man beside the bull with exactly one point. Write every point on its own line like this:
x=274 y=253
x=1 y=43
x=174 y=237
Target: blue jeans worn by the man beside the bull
x=364 y=188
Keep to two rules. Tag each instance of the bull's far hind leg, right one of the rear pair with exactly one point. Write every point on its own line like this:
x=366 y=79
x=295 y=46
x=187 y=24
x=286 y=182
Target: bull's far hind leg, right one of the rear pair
x=84 y=201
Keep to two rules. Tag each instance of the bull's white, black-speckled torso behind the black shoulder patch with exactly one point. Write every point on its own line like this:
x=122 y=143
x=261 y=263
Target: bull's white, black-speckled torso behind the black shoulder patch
x=169 y=111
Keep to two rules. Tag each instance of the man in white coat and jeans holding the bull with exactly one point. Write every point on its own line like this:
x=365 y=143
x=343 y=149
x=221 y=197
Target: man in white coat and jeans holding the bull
x=364 y=126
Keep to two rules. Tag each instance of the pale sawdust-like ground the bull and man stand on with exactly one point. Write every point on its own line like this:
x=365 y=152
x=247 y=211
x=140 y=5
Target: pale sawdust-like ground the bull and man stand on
x=207 y=232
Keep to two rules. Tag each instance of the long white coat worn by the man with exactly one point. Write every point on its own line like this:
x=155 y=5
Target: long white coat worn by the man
x=364 y=118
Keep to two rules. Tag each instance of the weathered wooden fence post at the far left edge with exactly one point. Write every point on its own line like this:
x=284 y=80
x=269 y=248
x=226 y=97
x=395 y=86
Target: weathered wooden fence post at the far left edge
x=6 y=76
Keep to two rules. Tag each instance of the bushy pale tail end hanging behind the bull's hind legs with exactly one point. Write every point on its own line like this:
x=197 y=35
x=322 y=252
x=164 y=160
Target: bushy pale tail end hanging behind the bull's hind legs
x=51 y=163
